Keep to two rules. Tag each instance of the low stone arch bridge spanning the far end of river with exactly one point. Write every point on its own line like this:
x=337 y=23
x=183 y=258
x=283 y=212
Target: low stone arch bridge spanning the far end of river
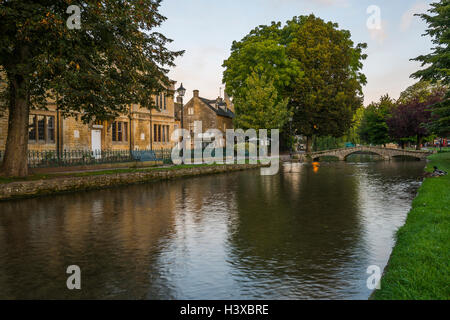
x=385 y=153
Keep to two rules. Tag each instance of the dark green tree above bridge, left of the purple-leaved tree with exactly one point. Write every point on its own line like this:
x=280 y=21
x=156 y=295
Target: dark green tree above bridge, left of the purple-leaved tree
x=373 y=128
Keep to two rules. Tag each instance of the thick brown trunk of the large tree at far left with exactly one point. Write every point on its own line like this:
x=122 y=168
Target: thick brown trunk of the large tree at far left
x=15 y=162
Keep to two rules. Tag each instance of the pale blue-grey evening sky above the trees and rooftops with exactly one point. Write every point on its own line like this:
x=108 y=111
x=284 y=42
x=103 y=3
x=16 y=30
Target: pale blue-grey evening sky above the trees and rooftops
x=205 y=29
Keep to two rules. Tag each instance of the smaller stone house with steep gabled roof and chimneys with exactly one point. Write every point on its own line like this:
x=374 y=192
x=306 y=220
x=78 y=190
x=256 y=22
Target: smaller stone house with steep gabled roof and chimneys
x=214 y=114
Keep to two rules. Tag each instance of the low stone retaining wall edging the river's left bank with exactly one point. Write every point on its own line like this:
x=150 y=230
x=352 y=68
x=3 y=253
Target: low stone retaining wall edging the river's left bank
x=58 y=185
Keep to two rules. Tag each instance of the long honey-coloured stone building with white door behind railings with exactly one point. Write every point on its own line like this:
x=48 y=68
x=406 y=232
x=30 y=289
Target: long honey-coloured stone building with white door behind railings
x=139 y=129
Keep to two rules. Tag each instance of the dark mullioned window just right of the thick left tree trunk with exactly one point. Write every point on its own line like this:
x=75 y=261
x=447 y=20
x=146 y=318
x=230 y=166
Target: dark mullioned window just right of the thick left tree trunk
x=41 y=129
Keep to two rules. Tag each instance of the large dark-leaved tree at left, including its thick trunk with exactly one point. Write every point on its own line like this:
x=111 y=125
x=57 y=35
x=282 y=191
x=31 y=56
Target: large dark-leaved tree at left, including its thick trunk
x=113 y=59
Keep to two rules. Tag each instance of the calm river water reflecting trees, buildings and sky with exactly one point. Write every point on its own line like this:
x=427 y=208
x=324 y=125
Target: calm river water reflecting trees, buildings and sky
x=309 y=232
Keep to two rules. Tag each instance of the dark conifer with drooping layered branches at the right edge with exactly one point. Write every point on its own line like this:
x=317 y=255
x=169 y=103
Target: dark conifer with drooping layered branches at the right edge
x=438 y=62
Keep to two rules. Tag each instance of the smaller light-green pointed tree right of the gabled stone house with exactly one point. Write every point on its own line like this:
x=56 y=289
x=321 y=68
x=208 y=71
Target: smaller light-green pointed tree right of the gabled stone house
x=259 y=105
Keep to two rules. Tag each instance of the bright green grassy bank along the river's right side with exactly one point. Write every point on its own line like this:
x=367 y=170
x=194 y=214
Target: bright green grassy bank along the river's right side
x=419 y=264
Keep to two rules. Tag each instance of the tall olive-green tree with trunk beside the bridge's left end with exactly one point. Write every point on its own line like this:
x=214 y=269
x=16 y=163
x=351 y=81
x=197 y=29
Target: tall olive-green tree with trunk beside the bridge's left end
x=326 y=98
